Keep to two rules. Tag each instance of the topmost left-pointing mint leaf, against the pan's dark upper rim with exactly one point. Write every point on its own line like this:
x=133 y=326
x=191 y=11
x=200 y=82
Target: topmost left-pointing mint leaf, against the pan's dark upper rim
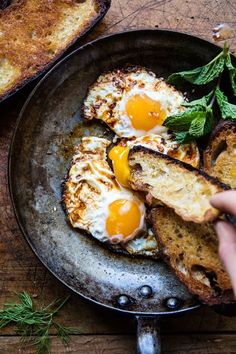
x=202 y=75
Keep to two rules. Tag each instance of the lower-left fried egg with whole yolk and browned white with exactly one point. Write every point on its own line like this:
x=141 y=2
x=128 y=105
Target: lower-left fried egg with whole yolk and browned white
x=96 y=202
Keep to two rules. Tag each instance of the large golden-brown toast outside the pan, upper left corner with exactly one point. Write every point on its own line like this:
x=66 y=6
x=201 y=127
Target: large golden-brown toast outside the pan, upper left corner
x=34 y=33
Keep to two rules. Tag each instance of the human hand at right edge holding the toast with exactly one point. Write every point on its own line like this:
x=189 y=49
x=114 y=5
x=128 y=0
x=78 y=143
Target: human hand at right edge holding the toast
x=226 y=202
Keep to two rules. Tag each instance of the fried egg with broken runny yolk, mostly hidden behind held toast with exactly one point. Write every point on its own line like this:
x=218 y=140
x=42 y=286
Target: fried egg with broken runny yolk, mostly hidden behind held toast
x=188 y=153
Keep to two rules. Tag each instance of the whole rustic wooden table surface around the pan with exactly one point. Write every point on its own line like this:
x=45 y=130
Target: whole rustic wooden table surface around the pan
x=202 y=331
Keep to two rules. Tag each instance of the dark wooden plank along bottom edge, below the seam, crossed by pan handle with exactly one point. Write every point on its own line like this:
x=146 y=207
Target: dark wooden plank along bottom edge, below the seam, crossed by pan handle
x=122 y=344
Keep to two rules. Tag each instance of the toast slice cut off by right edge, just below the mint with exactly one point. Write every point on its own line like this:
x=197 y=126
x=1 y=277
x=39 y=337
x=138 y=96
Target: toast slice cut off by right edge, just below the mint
x=220 y=155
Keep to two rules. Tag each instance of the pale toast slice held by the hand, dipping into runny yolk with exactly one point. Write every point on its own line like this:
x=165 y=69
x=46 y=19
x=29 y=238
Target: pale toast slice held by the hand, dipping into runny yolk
x=178 y=185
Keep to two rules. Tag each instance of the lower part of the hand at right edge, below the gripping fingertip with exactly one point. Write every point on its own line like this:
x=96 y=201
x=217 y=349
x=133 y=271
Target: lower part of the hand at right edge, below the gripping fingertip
x=227 y=248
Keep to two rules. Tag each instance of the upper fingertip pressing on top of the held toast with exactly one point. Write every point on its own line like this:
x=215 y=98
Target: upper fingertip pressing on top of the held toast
x=225 y=201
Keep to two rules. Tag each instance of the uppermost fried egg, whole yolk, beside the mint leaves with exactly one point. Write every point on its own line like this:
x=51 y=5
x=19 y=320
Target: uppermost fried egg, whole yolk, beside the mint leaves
x=132 y=102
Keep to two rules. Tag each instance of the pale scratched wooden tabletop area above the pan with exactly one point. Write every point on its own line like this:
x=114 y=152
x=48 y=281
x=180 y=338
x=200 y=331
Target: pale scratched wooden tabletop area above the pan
x=198 y=18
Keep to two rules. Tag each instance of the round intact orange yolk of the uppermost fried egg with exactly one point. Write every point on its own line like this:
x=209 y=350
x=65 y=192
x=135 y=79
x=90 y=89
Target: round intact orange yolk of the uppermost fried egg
x=144 y=112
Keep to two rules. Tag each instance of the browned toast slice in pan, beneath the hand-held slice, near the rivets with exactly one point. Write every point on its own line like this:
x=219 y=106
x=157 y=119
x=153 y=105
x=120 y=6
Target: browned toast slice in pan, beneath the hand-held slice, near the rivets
x=192 y=252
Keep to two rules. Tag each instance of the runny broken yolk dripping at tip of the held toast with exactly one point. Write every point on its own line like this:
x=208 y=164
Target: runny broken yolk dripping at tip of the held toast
x=119 y=156
